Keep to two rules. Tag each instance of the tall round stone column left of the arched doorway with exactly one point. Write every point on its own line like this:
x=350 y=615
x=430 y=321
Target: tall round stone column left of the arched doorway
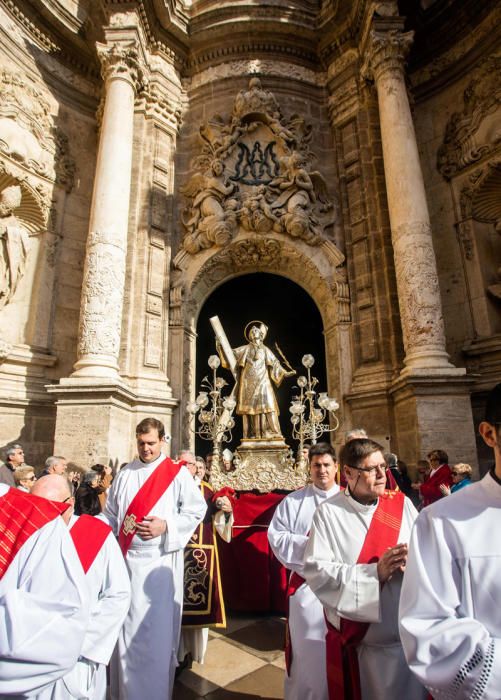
x=104 y=274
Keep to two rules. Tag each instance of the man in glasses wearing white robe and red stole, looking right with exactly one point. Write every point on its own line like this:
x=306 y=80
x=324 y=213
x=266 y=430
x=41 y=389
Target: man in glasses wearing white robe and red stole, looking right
x=353 y=563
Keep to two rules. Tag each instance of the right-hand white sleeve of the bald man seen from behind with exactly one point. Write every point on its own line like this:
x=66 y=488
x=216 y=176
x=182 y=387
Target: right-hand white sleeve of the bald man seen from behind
x=109 y=584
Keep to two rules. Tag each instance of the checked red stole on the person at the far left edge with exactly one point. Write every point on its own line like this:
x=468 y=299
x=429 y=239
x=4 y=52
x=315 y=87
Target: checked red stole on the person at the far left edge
x=21 y=515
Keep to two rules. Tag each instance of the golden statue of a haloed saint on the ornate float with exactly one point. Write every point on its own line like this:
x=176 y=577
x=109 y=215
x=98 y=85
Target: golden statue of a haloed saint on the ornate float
x=256 y=368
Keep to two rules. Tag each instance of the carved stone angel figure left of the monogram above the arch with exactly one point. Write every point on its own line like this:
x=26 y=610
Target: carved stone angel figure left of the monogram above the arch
x=213 y=218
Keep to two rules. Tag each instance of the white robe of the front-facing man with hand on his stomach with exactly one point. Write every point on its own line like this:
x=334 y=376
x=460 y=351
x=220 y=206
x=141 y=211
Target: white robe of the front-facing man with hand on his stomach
x=146 y=656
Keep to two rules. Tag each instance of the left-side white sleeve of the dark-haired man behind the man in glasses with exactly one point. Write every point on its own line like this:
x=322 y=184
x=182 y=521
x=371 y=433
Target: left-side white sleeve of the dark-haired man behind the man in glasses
x=287 y=546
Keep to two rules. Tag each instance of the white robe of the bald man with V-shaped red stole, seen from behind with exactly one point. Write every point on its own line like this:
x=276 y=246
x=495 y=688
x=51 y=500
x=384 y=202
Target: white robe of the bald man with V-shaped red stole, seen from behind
x=109 y=595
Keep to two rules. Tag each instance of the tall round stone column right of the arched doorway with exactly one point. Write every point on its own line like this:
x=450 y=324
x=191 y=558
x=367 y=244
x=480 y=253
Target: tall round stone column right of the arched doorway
x=415 y=264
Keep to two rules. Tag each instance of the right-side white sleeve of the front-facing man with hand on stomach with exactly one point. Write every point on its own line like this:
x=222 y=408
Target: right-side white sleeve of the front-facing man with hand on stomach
x=190 y=510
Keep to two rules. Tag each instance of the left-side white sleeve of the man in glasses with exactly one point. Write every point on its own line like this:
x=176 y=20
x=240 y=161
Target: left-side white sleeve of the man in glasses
x=345 y=589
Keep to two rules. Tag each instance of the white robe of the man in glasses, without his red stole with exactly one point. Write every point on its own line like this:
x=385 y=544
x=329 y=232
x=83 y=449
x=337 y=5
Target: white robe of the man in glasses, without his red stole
x=353 y=591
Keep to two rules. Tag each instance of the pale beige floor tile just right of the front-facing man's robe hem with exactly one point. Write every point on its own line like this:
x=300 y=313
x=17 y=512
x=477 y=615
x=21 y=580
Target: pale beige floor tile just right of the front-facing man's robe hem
x=225 y=663
